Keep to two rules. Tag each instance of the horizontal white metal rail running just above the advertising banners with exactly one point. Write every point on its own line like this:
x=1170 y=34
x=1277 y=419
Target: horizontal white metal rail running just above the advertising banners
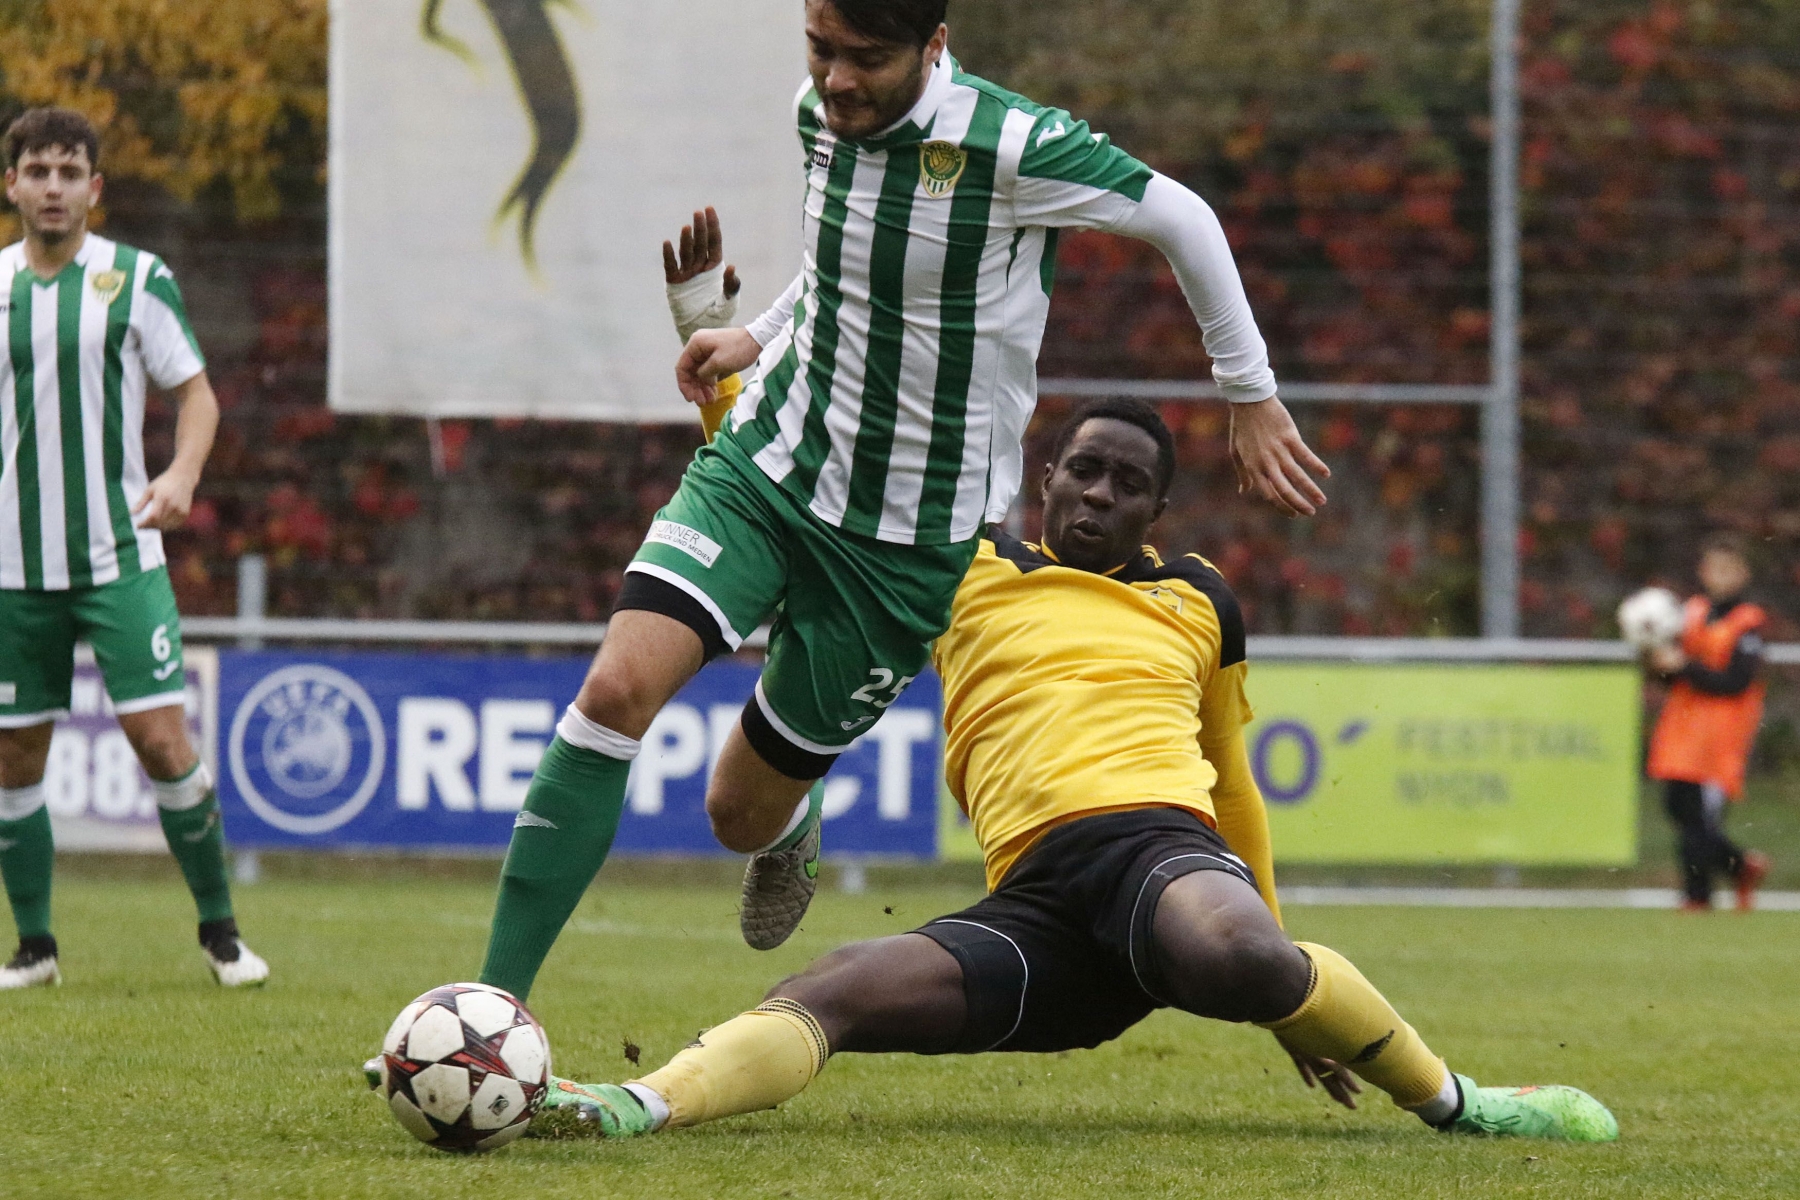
x=589 y=634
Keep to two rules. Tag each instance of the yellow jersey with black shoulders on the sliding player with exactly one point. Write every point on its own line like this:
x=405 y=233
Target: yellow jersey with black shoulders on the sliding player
x=1068 y=694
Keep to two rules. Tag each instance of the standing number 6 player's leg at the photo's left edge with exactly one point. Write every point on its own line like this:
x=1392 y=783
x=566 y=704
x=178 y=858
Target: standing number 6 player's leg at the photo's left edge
x=28 y=855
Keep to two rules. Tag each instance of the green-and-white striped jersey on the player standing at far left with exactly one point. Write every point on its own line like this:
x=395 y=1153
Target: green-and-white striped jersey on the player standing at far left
x=80 y=352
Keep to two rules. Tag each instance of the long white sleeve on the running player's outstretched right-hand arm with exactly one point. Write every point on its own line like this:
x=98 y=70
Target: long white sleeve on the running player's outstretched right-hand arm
x=1189 y=235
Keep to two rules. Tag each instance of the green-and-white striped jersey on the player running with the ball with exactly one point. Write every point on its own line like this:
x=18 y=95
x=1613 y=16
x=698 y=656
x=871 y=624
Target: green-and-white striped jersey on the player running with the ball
x=901 y=368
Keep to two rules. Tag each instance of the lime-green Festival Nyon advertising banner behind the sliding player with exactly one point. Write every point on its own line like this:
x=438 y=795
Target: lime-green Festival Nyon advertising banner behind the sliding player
x=1437 y=764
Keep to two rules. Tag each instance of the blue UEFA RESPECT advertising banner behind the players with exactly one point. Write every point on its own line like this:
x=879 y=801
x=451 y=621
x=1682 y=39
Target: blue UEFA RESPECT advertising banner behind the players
x=436 y=751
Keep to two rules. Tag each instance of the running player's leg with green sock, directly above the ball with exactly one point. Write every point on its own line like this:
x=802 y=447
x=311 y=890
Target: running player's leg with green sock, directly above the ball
x=562 y=834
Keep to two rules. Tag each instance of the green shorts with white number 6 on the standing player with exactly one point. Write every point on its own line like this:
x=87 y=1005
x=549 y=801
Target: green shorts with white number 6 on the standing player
x=132 y=627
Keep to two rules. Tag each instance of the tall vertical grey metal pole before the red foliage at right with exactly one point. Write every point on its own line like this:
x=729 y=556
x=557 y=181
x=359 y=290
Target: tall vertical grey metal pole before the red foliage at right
x=1500 y=416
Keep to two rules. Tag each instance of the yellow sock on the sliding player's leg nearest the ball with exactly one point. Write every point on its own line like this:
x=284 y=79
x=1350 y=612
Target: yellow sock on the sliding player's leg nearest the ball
x=755 y=1061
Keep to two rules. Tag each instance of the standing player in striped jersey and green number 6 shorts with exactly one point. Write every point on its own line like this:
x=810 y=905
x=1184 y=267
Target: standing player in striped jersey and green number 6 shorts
x=91 y=325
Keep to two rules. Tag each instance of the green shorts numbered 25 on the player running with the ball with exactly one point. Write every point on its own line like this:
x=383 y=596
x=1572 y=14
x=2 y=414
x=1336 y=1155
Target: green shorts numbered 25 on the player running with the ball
x=854 y=618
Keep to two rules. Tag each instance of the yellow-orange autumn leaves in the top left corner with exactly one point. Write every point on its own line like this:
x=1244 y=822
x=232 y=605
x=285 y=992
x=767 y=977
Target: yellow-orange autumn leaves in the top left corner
x=183 y=93
